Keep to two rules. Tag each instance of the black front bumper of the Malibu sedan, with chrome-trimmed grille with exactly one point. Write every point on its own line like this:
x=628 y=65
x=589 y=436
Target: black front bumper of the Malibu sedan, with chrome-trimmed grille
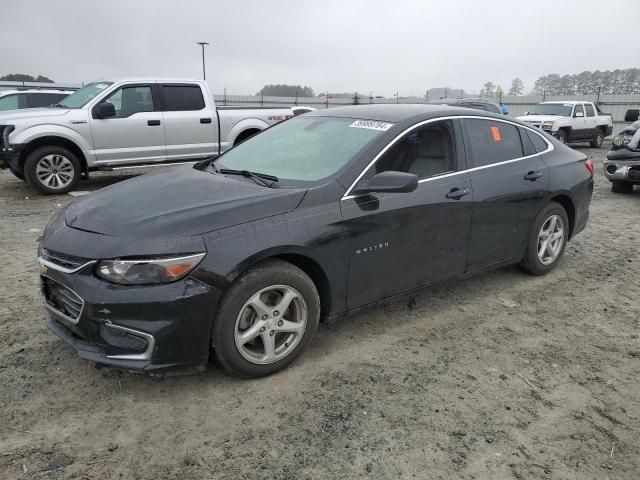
x=151 y=327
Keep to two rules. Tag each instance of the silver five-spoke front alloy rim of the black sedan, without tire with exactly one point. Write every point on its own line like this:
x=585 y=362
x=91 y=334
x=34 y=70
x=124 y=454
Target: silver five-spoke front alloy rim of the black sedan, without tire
x=271 y=324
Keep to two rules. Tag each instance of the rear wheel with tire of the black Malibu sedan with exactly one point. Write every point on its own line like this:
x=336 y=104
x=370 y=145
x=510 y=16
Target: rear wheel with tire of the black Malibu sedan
x=533 y=262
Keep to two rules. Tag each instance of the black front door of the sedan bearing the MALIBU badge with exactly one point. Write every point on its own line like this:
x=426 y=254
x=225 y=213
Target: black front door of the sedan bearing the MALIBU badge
x=400 y=241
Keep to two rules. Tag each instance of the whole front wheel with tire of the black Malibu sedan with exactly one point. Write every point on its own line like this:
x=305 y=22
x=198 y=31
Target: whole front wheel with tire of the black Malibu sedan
x=261 y=289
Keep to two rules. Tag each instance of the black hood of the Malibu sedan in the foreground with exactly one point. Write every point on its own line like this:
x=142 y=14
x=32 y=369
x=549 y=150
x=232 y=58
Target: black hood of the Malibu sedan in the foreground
x=178 y=202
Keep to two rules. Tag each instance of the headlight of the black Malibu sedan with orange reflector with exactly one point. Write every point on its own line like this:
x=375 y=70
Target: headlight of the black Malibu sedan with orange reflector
x=145 y=271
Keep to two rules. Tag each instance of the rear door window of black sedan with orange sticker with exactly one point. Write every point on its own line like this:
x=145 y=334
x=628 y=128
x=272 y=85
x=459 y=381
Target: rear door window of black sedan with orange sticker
x=492 y=142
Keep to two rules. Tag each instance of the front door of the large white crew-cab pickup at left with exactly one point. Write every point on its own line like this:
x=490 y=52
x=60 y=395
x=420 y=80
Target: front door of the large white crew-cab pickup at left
x=135 y=134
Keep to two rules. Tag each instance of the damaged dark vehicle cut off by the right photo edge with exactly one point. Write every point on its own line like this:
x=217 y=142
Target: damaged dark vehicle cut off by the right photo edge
x=622 y=166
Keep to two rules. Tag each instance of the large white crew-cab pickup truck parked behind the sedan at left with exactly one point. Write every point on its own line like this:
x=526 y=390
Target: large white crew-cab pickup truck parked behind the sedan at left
x=122 y=124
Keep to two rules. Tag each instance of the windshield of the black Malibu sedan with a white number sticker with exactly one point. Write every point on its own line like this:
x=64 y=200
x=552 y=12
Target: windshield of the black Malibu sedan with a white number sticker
x=303 y=148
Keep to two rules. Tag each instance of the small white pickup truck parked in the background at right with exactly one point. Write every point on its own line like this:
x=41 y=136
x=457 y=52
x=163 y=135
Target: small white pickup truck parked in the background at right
x=571 y=121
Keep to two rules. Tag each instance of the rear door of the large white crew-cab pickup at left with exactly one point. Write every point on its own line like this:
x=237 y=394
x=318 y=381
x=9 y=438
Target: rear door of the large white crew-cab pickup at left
x=190 y=121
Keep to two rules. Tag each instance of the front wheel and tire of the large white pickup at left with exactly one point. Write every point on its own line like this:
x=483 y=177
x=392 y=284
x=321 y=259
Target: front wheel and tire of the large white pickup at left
x=61 y=165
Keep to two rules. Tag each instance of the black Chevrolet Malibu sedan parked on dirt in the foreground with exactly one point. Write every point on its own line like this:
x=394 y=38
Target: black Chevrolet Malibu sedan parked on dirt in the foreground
x=311 y=219
